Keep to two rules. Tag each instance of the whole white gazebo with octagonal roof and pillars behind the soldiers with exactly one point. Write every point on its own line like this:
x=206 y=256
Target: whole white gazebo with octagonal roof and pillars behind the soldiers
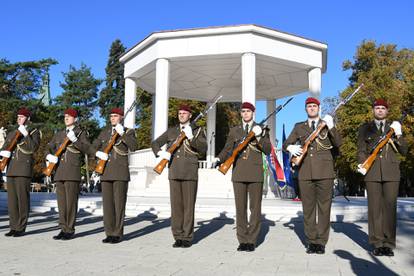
x=242 y=63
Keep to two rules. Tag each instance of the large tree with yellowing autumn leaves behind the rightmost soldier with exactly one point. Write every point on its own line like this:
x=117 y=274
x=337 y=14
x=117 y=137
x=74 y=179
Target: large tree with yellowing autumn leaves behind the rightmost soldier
x=386 y=73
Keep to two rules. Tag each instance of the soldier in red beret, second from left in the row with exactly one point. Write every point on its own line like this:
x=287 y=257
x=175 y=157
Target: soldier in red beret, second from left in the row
x=67 y=175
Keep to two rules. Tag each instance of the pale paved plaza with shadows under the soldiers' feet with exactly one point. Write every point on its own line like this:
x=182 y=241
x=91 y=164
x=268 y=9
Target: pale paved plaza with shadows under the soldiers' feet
x=146 y=249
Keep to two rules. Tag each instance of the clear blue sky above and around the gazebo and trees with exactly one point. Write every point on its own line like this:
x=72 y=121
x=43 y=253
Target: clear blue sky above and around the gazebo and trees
x=77 y=31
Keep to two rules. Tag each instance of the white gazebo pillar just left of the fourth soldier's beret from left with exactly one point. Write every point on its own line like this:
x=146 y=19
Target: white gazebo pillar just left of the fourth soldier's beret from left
x=162 y=83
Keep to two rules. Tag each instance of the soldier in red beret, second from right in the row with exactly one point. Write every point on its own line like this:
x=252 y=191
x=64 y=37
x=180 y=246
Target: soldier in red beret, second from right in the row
x=315 y=173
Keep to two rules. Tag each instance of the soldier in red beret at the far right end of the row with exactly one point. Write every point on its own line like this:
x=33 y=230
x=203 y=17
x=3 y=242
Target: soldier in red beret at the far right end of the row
x=383 y=178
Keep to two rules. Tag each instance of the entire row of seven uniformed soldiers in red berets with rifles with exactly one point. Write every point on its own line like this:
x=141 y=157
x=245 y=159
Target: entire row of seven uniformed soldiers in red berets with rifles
x=313 y=146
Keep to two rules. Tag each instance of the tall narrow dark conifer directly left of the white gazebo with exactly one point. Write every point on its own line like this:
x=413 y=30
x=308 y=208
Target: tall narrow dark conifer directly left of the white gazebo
x=112 y=95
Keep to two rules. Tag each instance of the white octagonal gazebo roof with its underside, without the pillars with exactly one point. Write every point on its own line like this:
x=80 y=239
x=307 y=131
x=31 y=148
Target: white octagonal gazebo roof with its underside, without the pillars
x=207 y=61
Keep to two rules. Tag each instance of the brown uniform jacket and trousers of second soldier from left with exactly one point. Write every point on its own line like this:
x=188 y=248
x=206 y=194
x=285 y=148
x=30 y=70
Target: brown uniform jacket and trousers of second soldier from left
x=68 y=175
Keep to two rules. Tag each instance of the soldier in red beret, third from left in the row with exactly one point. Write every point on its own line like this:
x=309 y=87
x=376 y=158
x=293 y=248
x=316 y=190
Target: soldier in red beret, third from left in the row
x=116 y=176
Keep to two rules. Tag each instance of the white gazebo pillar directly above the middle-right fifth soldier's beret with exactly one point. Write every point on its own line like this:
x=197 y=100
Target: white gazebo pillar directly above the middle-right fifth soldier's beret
x=249 y=78
